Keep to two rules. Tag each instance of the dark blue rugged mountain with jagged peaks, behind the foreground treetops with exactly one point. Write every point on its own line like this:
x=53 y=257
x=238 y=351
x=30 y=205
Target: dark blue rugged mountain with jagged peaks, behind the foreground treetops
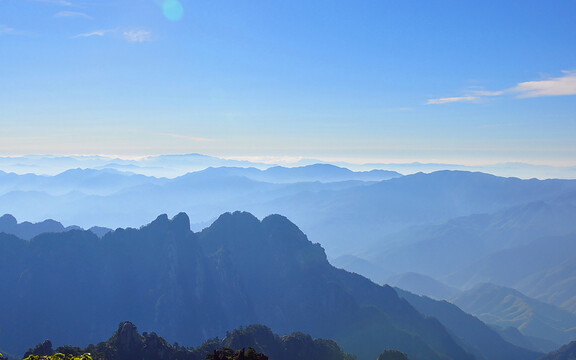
x=194 y=286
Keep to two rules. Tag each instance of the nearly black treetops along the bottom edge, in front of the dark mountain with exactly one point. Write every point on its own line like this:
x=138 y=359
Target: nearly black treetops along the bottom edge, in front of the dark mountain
x=128 y=344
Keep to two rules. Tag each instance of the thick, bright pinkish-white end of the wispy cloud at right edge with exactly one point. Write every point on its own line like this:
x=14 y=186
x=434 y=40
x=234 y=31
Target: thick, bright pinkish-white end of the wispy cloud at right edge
x=558 y=86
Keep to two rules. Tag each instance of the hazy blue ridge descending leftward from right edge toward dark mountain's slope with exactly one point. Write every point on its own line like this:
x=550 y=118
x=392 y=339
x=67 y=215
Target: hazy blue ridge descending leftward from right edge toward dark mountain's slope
x=440 y=250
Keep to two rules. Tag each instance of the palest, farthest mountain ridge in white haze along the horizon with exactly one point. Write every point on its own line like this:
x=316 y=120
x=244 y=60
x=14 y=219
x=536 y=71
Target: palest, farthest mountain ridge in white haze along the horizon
x=179 y=164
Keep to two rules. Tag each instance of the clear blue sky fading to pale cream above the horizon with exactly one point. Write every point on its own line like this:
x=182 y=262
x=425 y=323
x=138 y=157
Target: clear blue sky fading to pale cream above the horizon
x=468 y=82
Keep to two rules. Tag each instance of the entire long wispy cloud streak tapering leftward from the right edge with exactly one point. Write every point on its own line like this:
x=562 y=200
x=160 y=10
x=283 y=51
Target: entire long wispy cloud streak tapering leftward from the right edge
x=558 y=86
